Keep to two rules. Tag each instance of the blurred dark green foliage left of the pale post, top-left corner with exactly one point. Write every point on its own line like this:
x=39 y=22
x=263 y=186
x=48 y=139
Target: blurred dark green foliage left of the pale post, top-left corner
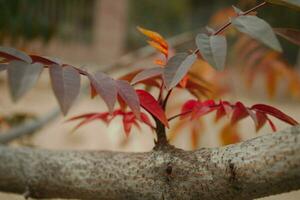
x=31 y=19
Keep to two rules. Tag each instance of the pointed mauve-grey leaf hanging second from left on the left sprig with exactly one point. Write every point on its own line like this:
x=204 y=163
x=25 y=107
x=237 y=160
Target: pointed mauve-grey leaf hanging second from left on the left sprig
x=65 y=83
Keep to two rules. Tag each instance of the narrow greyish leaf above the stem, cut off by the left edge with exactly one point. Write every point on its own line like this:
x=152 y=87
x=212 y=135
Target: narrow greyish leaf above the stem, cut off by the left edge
x=14 y=54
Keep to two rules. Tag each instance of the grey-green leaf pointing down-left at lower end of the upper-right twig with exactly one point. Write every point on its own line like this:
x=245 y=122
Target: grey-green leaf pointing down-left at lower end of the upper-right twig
x=176 y=68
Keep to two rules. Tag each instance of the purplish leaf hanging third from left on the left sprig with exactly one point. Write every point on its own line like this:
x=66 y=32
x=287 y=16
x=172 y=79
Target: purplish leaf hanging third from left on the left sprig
x=105 y=87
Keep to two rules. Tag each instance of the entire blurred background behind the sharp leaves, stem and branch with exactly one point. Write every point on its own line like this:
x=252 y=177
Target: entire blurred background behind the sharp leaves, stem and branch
x=101 y=34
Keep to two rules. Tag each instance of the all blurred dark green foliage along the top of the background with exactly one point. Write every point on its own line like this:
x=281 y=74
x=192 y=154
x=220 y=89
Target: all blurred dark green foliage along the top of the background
x=73 y=19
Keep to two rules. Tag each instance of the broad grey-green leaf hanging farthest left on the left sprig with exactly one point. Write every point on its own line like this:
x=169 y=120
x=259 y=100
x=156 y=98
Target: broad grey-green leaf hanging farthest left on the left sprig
x=21 y=77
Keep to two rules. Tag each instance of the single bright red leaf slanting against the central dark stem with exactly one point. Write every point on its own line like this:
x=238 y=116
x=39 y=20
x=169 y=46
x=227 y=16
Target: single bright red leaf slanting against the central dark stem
x=149 y=103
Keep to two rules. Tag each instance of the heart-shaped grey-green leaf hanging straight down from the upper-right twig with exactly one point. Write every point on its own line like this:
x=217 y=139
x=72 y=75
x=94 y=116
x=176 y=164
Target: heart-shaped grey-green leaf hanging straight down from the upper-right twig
x=213 y=49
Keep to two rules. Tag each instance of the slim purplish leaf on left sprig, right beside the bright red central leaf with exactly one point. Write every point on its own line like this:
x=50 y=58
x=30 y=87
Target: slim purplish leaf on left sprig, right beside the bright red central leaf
x=129 y=95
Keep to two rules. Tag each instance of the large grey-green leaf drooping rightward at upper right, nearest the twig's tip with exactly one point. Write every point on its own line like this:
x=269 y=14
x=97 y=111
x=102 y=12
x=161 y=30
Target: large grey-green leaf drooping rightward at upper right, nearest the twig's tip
x=257 y=29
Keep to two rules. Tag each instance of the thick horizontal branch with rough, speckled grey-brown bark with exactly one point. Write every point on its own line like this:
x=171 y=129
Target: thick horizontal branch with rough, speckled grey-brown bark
x=263 y=166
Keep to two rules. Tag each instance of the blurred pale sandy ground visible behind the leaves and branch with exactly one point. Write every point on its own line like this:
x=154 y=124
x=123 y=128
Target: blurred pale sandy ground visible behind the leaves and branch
x=57 y=134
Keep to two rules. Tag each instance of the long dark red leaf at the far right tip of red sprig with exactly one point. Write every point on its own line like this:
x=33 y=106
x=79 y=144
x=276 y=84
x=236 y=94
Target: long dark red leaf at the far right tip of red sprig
x=275 y=113
